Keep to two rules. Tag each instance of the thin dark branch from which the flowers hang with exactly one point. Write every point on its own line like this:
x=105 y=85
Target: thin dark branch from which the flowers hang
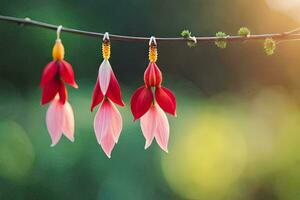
x=290 y=35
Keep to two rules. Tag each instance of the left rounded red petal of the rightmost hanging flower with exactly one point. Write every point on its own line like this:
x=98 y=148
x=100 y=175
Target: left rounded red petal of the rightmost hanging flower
x=141 y=101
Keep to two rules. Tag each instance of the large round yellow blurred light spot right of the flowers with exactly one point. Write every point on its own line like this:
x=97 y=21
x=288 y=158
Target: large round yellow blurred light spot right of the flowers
x=208 y=158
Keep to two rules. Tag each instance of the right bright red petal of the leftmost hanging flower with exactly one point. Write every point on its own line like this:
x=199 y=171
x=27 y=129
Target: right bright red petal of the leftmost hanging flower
x=66 y=73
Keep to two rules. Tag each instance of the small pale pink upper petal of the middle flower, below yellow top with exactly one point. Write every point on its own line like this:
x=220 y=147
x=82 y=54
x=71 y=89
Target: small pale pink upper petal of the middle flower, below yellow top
x=104 y=75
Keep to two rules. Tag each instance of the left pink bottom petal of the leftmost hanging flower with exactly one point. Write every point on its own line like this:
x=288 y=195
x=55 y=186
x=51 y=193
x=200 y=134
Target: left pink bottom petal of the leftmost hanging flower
x=54 y=121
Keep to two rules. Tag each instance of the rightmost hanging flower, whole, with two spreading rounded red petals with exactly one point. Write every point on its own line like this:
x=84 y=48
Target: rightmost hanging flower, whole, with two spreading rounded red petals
x=151 y=101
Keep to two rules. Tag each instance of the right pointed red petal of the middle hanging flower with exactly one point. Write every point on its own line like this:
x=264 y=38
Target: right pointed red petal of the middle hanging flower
x=114 y=91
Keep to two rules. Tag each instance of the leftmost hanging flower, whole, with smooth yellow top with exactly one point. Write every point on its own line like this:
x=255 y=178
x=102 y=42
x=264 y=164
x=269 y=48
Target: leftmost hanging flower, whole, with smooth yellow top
x=60 y=117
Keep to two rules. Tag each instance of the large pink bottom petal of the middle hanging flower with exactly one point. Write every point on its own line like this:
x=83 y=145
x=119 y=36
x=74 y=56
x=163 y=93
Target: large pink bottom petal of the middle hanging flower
x=107 y=126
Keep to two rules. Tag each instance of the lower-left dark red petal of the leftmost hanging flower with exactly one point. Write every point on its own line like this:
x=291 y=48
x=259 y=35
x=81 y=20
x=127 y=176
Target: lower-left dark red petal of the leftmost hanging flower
x=50 y=90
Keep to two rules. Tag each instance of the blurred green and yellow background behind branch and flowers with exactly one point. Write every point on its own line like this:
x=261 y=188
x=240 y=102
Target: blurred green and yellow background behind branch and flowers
x=237 y=134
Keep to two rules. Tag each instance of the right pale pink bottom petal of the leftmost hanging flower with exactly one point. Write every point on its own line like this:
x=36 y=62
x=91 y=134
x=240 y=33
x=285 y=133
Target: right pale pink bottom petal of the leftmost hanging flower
x=68 y=122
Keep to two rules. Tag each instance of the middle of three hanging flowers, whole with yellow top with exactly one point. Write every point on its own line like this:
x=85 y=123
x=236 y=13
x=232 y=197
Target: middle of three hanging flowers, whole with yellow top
x=108 y=120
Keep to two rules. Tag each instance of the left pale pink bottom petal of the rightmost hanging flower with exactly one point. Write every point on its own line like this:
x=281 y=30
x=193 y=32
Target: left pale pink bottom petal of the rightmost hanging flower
x=148 y=125
